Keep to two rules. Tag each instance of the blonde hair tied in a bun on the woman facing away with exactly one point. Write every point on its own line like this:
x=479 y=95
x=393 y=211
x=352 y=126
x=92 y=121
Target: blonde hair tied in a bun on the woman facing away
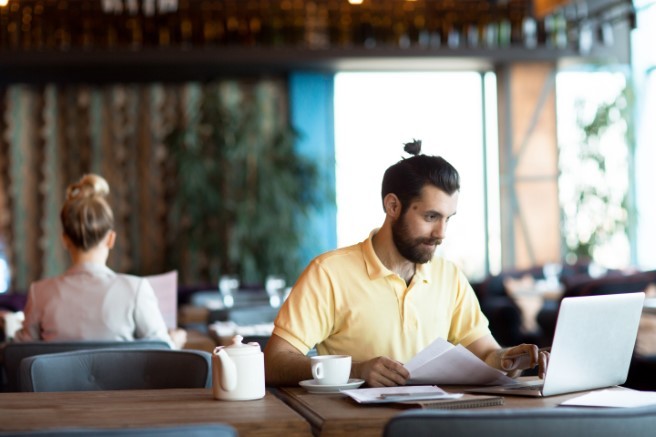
x=86 y=216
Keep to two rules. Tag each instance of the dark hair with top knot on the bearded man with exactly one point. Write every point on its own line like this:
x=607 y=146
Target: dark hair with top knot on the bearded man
x=407 y=177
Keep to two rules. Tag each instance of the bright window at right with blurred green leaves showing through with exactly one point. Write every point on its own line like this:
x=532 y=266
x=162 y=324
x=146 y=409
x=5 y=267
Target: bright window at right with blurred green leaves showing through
x=594 y=169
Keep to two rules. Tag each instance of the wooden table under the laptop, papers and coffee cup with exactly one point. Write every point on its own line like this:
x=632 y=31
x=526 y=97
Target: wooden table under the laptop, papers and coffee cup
x=336 y=414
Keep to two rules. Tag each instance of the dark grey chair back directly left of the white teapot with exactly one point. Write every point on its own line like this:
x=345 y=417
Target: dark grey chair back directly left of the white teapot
x=116 y=369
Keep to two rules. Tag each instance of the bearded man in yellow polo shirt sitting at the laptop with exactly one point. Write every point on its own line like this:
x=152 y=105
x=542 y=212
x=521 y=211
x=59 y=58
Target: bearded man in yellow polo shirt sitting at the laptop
x=385 y=299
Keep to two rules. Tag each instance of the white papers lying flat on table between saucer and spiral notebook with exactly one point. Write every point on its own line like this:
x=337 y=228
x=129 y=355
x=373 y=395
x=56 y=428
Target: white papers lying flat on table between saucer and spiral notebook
x=399 y=394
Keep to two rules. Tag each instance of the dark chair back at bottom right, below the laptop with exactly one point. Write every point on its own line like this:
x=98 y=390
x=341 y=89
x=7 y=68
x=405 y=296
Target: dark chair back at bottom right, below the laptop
x=581 y=422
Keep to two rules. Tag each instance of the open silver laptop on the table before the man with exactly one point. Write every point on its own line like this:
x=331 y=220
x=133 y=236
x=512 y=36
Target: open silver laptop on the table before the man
x=592 y=347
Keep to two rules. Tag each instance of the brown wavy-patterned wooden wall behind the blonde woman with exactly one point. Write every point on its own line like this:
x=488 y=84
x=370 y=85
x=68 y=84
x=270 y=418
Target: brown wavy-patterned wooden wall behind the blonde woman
x=51 y=135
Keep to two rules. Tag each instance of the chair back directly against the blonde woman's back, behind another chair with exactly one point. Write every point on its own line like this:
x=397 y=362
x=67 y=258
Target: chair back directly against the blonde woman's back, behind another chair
x=13 y=353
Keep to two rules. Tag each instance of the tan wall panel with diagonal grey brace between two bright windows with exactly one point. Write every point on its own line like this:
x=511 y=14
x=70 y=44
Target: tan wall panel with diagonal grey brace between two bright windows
x=530 y=217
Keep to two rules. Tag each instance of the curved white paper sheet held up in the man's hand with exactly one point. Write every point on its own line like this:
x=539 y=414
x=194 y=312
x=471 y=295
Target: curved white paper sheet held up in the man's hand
x=443 y=363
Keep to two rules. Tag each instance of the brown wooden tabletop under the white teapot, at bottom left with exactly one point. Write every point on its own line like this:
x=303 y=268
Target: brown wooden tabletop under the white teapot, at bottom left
x=139 y=408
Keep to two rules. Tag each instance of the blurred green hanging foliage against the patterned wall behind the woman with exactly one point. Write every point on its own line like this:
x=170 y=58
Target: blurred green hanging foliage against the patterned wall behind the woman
x=241 y=188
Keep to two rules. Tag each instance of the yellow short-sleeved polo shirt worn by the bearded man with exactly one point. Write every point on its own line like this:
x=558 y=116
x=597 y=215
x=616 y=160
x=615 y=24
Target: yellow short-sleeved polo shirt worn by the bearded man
x=347 y=302
